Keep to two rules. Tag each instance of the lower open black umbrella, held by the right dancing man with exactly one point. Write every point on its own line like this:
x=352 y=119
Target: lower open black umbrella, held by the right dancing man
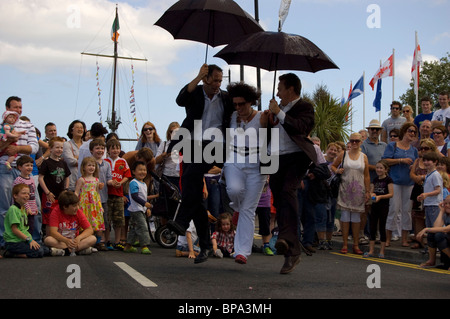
x=274 y=51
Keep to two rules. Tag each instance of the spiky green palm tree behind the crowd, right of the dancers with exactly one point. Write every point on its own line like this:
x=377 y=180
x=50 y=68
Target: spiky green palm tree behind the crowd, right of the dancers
x=332 y=119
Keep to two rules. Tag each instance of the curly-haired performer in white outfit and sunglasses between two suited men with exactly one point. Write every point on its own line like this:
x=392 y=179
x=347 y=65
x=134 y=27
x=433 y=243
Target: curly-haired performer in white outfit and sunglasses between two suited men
x=242 y=166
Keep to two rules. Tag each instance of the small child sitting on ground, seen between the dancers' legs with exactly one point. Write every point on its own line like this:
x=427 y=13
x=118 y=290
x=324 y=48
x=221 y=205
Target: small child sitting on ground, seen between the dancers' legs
x=223 y=238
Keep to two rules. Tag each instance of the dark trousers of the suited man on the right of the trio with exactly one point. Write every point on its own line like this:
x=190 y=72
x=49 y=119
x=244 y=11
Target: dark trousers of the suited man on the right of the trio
x=284 y=184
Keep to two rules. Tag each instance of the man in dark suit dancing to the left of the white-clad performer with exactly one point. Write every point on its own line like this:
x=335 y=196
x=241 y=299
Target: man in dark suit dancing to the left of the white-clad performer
x=210 y=105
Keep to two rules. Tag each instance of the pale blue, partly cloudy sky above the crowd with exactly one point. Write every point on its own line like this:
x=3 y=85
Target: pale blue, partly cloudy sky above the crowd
x=41 y=43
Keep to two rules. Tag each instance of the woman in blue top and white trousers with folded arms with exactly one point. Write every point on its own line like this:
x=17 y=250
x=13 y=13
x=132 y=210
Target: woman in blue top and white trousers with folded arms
x=400 y=156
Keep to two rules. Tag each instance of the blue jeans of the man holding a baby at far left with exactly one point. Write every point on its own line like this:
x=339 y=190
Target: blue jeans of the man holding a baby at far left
x=7 y=178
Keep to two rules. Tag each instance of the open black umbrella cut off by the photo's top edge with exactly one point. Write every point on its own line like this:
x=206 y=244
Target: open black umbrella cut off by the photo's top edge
x=213 y=22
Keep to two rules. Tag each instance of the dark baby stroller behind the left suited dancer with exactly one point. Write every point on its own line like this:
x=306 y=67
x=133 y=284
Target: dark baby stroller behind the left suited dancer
x=165 y=207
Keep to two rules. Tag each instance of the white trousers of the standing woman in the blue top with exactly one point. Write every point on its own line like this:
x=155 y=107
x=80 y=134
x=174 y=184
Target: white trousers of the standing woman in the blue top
x=399 y=217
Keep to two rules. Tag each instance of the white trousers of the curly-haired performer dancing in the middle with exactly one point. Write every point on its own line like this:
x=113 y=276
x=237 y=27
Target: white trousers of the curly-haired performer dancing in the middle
x=244 y=188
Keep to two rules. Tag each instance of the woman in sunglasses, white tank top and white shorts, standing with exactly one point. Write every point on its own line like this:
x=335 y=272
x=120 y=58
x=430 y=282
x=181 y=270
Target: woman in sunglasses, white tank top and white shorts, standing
x=354 y=190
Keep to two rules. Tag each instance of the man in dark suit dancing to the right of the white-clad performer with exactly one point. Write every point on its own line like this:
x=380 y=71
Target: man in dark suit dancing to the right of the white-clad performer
x=294 y=118
